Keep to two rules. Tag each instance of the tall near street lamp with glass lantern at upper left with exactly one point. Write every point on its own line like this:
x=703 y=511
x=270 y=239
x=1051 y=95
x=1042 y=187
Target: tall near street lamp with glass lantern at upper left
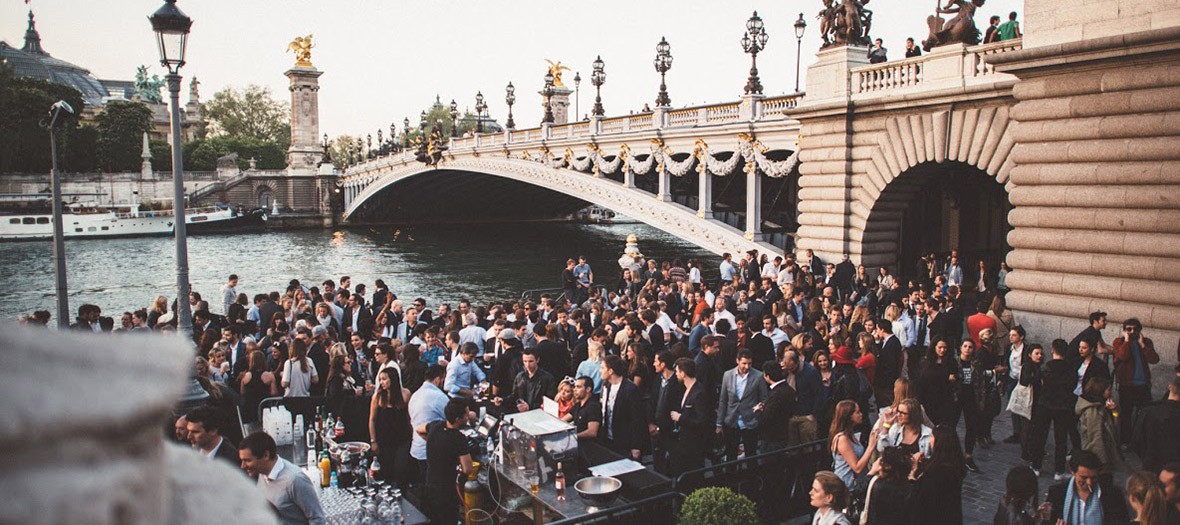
x=172 y=28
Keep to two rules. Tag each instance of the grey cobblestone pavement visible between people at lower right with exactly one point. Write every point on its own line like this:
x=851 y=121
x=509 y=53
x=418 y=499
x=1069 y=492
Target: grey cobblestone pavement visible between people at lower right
x=982 y=493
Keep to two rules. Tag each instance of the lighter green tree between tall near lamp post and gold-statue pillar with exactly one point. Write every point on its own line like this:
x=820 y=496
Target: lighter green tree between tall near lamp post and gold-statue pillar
x=250 y=113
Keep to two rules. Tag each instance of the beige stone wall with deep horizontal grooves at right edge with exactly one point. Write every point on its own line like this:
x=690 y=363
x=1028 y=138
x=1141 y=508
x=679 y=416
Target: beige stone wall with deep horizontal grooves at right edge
x=1098 y=183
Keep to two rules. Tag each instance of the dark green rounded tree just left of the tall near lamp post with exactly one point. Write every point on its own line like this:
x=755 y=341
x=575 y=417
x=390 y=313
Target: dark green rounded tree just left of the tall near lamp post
x=121 y=129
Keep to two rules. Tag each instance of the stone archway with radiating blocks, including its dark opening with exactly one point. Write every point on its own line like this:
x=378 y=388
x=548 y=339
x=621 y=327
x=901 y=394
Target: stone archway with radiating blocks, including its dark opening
x=946 y=166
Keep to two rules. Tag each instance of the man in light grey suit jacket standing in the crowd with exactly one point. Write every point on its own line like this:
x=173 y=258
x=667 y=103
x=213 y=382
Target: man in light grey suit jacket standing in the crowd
x=743 y=393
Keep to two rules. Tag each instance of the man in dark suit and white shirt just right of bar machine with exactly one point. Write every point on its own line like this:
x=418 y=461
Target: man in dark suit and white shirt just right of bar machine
x=624 y=414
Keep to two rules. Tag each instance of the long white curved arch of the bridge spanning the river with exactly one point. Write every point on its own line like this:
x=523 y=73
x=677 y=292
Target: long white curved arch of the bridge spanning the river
x=667 y=216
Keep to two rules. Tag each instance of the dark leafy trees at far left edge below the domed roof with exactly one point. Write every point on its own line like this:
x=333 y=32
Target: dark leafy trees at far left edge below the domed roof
x=24 y=108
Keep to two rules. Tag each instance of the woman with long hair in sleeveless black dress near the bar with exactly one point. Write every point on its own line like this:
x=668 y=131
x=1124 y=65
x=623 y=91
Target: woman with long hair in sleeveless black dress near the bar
x=390 y=429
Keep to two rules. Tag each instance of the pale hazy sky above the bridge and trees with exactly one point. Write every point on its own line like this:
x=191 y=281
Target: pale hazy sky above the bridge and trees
x=384 y=61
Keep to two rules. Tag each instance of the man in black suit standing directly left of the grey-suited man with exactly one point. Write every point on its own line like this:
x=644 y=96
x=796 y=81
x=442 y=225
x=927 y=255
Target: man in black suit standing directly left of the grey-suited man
x=693 y=416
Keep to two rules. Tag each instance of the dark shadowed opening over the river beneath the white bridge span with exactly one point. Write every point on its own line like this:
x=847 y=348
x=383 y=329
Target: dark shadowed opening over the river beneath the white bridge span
x=444 y=196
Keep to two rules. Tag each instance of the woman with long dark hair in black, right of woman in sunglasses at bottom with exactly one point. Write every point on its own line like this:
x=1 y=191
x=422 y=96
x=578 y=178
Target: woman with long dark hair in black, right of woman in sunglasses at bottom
x=940 y=488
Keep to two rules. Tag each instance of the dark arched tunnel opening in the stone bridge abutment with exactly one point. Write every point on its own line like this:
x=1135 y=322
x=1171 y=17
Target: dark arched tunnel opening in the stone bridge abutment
x=935 y=208
